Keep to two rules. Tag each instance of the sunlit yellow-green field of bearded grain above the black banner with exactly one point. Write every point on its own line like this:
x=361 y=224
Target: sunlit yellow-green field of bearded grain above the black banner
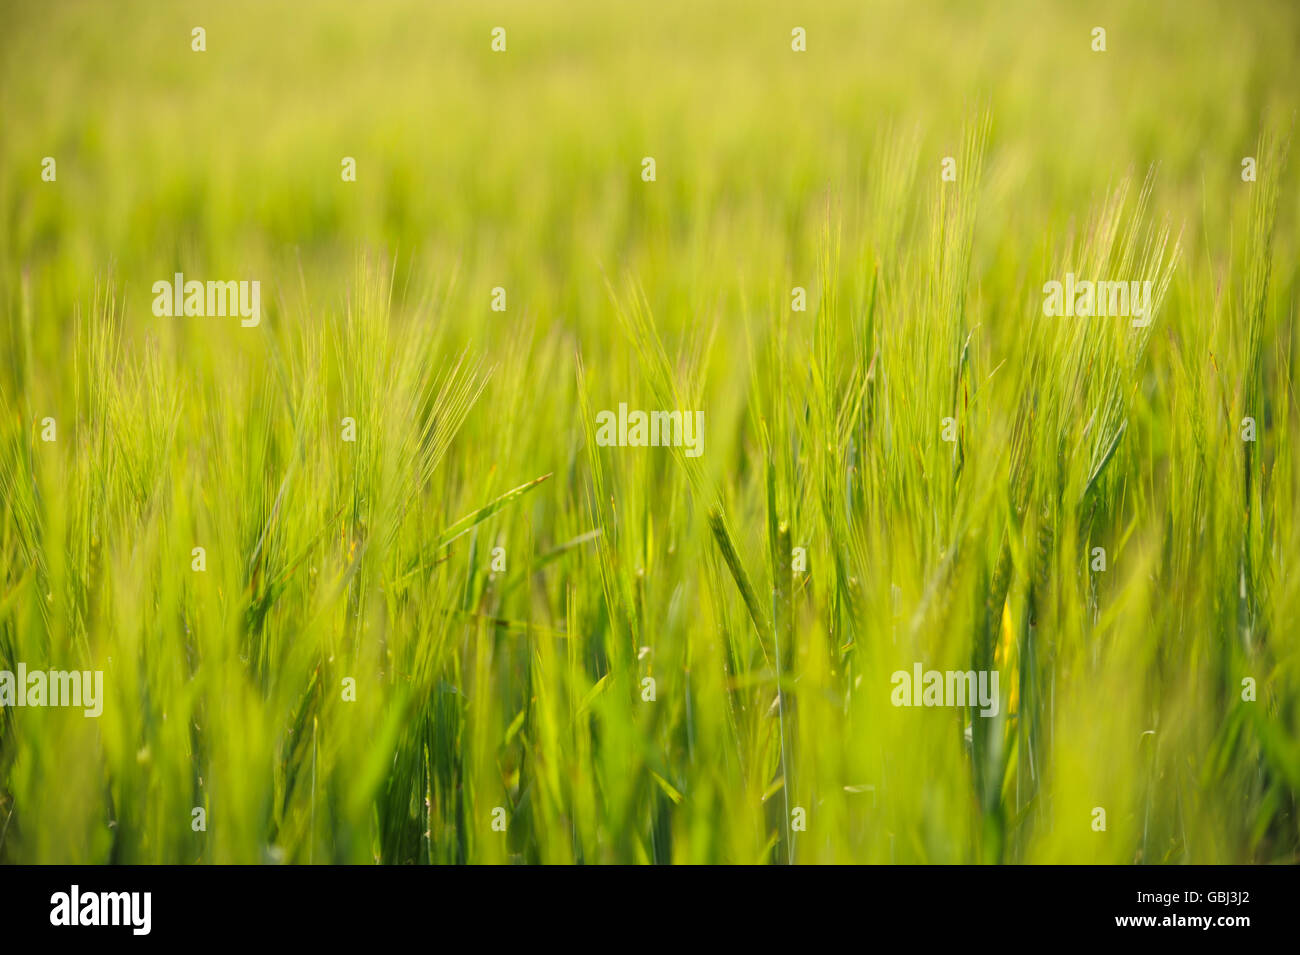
x=435 y=620
